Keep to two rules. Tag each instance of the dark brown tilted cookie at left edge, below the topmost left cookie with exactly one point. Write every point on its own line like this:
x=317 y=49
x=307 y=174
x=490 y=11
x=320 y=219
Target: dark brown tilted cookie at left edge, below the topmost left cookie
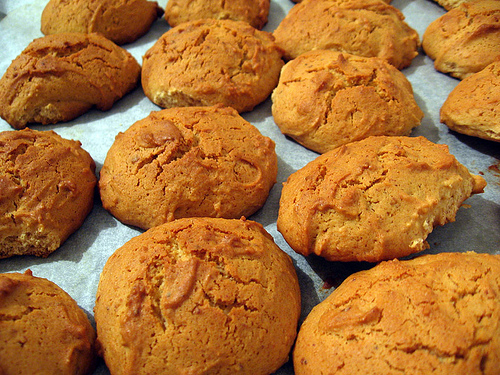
x=59 y=77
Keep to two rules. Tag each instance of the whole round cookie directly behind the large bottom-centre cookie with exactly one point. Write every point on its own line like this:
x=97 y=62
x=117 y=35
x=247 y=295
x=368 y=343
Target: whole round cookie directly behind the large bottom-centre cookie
x=185 y=162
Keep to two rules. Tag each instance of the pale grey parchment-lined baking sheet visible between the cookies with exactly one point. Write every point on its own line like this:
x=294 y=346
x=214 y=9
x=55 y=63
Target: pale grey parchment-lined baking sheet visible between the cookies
x=76 y=266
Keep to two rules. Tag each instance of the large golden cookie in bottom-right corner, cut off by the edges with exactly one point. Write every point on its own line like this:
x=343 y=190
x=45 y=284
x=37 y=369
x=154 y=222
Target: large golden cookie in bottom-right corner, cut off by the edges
x=435 y=314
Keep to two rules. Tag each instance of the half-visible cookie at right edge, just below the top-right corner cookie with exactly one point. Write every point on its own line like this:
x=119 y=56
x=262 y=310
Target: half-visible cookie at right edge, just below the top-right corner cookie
x=472 y=106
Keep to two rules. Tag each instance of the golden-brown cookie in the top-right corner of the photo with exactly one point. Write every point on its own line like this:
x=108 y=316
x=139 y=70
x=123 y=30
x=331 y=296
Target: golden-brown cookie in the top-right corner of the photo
x=466 y=39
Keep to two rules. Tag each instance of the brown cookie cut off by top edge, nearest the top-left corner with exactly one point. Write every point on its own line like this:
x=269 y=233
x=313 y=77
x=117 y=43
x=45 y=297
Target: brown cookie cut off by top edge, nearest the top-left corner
x=122 y=21
